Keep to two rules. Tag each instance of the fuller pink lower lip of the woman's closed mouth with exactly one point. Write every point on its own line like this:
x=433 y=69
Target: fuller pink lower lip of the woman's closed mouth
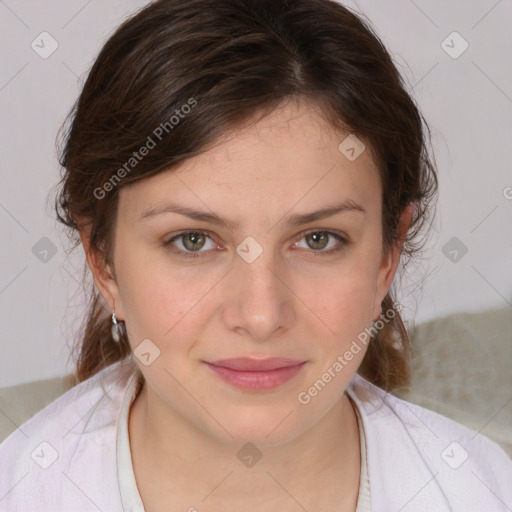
x=257 y=381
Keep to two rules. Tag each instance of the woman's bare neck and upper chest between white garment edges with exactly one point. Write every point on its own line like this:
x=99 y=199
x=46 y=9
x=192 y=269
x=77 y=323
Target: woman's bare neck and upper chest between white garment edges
x=166 y=448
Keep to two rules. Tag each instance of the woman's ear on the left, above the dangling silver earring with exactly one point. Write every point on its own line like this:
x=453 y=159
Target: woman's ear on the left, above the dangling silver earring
x=103 y=274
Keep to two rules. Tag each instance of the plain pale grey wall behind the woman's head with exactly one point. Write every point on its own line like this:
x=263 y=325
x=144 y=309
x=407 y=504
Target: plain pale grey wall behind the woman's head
x=464 y=93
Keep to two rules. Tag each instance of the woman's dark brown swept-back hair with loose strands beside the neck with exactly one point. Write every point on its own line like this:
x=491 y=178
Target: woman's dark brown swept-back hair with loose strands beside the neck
x=183 y=74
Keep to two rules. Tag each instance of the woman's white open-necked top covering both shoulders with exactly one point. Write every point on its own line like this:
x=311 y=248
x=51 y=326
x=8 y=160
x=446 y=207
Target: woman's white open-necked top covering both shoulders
x=65 y=458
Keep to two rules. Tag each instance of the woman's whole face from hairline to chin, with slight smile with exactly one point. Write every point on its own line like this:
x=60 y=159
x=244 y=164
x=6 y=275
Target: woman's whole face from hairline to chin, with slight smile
x=267 y=282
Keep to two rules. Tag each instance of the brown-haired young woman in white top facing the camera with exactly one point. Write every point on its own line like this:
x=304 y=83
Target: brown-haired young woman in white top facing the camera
x=245 y=178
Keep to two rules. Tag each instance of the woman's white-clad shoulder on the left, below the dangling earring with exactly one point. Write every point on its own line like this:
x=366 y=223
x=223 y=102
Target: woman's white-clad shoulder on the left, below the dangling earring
x=66 y=449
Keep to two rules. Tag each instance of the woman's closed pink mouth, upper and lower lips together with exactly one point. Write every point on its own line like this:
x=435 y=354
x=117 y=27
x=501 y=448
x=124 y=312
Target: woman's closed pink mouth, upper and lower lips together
x=256 y=374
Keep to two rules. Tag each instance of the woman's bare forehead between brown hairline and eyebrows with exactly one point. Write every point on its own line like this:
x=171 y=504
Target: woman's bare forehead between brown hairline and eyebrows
x=288 y=159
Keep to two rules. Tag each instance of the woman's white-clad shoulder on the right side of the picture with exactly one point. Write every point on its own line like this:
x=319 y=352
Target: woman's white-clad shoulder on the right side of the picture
x=412 y=448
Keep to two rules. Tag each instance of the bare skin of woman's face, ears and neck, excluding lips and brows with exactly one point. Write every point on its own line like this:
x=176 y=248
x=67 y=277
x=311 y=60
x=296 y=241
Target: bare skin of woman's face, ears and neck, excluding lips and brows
x=187 y=425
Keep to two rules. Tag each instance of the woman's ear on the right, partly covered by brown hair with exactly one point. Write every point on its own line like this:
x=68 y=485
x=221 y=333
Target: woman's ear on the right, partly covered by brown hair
x=390 y=261
